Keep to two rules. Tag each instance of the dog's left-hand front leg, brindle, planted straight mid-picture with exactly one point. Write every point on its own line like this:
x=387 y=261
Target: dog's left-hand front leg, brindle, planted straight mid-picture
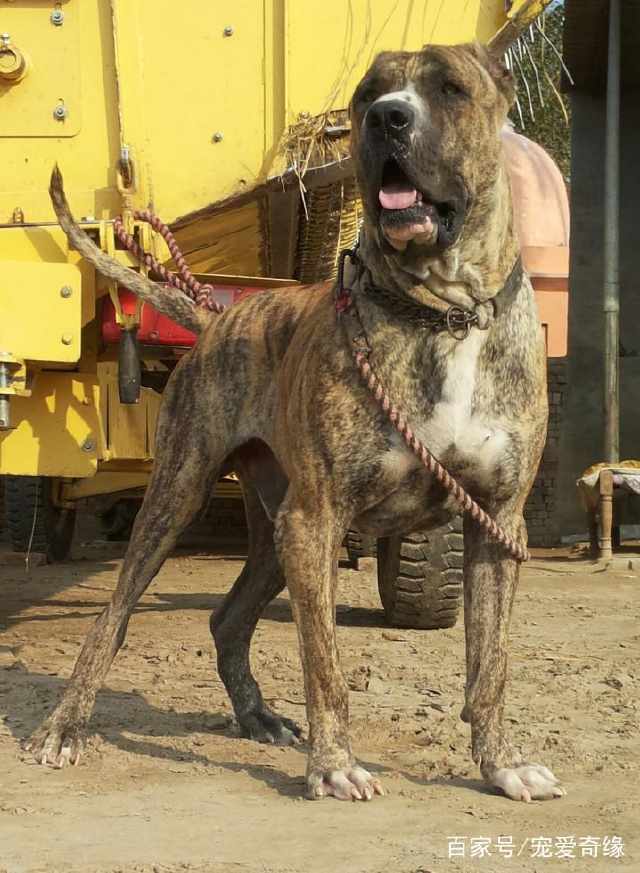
x=308 y=543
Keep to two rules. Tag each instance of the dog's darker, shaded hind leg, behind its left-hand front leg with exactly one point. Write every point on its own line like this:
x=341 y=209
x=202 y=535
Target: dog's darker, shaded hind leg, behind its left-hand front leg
x=233 y=624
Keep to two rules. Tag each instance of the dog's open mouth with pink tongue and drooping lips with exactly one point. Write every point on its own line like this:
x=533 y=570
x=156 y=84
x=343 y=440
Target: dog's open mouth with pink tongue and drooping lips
x=406 y=213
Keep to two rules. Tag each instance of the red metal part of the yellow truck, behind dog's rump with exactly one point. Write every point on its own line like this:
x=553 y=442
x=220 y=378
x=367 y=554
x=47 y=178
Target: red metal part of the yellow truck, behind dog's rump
x=156 y=329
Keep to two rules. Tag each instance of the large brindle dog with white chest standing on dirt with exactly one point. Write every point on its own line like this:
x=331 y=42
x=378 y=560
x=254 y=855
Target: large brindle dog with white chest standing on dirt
x=271 y=390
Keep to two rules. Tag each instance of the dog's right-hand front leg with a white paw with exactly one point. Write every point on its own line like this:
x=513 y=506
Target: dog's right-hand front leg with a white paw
x=490 y=582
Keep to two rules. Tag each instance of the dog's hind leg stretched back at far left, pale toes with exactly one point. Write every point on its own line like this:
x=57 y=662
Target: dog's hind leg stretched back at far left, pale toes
x=184 y=474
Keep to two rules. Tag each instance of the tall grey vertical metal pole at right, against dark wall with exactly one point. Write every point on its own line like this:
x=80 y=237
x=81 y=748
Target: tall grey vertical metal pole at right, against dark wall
x=611 y=243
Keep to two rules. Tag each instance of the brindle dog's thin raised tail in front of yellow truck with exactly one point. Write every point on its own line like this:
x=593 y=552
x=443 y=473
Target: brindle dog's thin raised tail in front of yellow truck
x=169 y=301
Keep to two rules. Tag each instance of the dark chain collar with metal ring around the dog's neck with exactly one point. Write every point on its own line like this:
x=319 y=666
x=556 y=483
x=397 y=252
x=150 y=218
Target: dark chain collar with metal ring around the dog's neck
x=457 y=321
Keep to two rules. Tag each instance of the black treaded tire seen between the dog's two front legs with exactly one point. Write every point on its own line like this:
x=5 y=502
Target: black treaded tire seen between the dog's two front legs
x=420 y=577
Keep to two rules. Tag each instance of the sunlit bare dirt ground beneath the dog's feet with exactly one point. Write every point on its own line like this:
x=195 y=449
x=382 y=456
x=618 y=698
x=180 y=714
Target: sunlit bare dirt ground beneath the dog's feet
x=166 y=785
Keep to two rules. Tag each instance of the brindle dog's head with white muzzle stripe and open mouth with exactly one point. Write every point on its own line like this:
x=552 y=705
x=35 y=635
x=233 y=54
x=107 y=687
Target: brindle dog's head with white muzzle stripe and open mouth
x=426 y=143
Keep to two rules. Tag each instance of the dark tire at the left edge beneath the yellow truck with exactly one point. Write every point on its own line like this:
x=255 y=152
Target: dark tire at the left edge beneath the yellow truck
x=52 y=533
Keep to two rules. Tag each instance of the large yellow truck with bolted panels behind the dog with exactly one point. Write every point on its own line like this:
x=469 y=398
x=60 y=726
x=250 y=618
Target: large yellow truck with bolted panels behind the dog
x=227 y=119
